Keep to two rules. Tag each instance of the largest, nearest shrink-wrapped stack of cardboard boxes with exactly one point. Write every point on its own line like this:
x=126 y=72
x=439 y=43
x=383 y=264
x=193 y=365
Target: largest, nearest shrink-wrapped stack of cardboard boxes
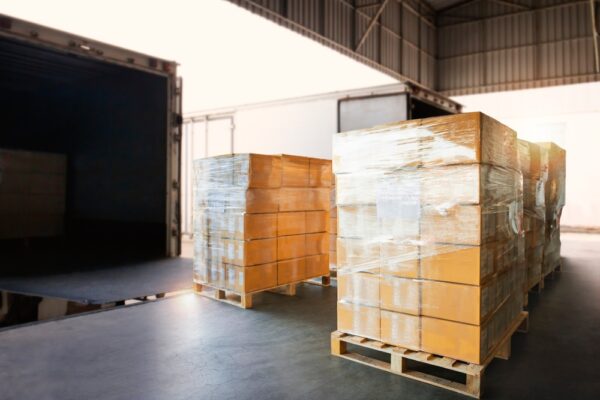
x=428 y=226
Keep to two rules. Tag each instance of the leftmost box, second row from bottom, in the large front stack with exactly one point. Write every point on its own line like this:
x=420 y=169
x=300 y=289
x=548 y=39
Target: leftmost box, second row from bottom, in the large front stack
x=359 y=288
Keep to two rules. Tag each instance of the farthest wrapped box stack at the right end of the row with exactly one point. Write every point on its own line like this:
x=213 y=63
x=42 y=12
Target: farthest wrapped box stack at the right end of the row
x=553 y=166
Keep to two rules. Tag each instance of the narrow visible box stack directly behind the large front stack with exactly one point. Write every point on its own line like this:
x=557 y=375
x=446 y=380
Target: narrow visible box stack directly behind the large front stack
x=534 y=213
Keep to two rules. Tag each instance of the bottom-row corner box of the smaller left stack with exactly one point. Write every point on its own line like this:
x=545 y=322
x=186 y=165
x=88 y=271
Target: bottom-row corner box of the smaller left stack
x=251 y=279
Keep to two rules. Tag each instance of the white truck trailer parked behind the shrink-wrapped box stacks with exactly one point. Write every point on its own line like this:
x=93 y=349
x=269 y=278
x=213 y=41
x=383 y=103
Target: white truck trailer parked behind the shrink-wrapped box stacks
x=303 y=126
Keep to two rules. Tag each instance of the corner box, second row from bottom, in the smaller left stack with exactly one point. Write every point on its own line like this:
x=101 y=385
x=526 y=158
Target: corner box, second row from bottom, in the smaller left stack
x=249 y=252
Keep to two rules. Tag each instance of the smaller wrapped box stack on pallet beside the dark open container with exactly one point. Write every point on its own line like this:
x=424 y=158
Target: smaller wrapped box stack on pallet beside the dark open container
x=260 y=221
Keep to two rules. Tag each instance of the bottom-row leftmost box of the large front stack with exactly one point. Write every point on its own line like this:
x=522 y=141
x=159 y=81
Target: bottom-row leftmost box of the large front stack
x=359 y=320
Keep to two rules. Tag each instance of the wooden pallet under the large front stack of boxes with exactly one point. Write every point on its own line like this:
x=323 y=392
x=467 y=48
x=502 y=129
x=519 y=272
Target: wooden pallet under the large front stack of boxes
x=399 y=357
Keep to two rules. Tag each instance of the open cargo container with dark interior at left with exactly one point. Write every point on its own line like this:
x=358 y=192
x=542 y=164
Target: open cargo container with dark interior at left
x=114 y=115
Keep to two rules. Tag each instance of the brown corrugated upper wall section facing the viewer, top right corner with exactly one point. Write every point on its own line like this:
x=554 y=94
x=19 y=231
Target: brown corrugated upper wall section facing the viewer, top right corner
x=515 y=48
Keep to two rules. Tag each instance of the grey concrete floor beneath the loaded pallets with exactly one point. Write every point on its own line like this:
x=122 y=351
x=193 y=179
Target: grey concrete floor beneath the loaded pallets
x=190 y=347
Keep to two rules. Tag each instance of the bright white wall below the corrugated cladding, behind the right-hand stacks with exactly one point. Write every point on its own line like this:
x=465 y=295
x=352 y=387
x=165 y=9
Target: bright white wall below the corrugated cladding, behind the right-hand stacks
x=568 y=116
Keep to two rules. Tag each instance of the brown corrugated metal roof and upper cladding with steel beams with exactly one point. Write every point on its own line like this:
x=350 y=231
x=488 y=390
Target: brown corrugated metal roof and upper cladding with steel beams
x=454 y=46
